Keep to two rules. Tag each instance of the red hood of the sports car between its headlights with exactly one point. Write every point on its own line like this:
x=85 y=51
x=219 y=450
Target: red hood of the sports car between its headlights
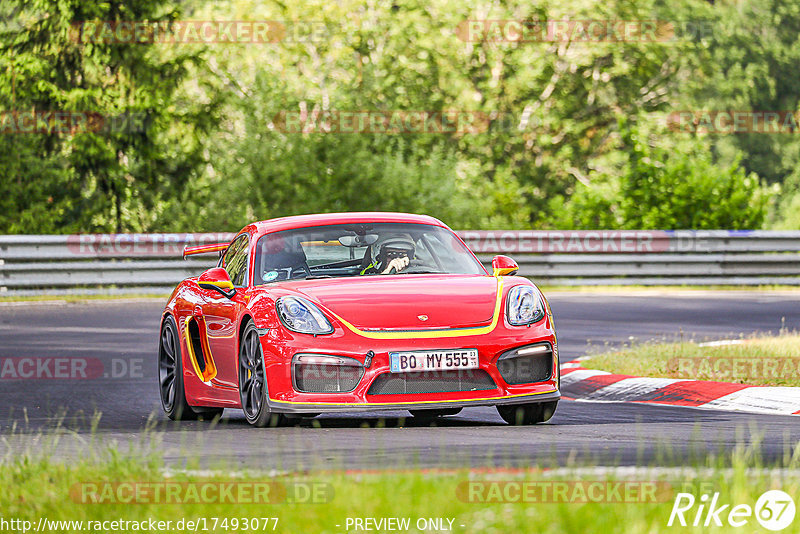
x=407 y=302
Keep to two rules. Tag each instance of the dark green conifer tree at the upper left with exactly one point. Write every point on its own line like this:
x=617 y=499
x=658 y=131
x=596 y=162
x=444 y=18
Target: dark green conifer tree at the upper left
x=95 y=180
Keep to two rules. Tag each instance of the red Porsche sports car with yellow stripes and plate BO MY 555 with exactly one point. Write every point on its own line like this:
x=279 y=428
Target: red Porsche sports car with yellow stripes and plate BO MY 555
x=353 y=312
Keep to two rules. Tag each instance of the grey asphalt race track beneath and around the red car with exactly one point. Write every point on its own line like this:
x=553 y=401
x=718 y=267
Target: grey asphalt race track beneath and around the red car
x=126 y=332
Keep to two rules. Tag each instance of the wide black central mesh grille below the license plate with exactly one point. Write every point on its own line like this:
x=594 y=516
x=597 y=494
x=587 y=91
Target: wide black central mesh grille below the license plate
x=431 y=382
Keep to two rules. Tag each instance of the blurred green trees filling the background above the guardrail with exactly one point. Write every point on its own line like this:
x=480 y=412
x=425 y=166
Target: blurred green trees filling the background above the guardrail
x=578 y=136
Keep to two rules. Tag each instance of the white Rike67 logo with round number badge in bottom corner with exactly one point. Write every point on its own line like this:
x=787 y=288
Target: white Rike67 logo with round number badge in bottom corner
x=774 y=510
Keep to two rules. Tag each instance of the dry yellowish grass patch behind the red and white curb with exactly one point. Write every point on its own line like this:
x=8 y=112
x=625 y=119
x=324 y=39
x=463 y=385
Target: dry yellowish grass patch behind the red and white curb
x=768 y=361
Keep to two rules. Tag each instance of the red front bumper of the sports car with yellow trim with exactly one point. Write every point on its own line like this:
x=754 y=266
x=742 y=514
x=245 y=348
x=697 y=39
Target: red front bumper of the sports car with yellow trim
x=280 y=346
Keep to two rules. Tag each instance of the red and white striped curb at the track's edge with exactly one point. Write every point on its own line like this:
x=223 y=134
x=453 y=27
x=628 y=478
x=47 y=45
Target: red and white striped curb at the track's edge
x=601 y=386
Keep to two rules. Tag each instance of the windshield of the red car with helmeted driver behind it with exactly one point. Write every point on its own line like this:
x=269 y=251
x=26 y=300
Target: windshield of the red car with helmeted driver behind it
x=371 y=249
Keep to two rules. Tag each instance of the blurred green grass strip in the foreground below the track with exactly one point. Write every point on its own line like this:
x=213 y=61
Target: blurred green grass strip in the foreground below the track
x=34 y=486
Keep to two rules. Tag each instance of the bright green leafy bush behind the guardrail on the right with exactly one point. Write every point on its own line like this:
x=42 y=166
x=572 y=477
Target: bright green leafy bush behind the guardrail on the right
x=660 y=186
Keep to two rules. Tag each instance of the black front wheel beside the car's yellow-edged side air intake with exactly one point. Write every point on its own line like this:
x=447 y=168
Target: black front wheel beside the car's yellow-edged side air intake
x=253 y=381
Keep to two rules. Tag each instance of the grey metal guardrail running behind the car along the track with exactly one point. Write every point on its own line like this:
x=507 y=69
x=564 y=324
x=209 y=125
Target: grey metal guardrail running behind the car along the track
x=144 y=263
